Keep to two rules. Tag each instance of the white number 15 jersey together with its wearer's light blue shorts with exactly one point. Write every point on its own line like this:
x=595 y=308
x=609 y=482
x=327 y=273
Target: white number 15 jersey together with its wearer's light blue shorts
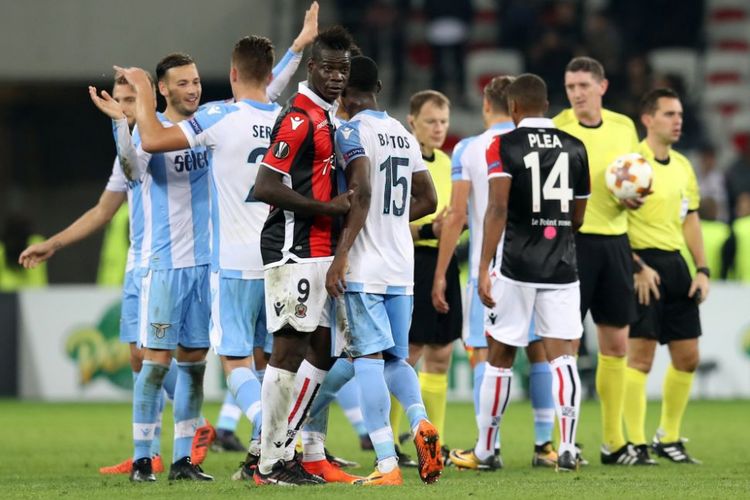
x=380 y=279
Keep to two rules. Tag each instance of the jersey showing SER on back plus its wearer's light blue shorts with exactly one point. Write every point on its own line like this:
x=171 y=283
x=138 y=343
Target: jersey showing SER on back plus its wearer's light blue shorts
x=237 y=135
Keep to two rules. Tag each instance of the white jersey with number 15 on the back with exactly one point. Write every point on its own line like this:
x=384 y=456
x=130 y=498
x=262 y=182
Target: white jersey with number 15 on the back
x=381 y=260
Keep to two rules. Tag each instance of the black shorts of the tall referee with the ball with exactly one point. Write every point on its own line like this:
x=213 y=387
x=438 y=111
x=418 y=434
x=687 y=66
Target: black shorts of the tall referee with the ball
x=605 y=269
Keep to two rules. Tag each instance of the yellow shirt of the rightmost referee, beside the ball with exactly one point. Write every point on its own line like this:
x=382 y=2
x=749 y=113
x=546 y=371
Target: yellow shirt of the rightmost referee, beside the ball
x=658 y=223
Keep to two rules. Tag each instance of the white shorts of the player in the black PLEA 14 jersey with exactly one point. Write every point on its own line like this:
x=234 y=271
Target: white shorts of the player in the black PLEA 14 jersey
x=556 y=310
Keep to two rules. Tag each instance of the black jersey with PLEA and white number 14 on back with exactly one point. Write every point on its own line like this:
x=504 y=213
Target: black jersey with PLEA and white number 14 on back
x=548 y=170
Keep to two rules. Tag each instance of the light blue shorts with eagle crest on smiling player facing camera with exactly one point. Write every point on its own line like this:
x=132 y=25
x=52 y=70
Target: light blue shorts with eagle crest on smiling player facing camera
x=174 y=308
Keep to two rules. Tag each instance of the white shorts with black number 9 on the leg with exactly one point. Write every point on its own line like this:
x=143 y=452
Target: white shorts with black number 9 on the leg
x=296 y=296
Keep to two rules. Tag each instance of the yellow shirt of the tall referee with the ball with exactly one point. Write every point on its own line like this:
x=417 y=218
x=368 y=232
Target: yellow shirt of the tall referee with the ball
x=614 y=137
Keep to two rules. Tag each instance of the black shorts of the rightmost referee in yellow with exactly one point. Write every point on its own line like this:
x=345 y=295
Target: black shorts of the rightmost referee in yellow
x=675 y=315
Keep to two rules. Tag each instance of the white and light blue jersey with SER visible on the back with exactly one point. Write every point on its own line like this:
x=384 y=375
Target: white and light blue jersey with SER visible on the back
x=238 y=135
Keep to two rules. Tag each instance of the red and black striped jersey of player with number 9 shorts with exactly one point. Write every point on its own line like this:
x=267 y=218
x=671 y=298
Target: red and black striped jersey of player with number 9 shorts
x=301 y=149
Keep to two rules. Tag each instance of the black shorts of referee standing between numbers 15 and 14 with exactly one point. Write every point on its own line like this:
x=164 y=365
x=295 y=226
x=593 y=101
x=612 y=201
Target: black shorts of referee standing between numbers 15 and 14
x=427 y=325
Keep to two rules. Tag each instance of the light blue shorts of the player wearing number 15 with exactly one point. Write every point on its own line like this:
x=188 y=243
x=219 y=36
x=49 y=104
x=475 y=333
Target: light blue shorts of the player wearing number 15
x=378 y=323
